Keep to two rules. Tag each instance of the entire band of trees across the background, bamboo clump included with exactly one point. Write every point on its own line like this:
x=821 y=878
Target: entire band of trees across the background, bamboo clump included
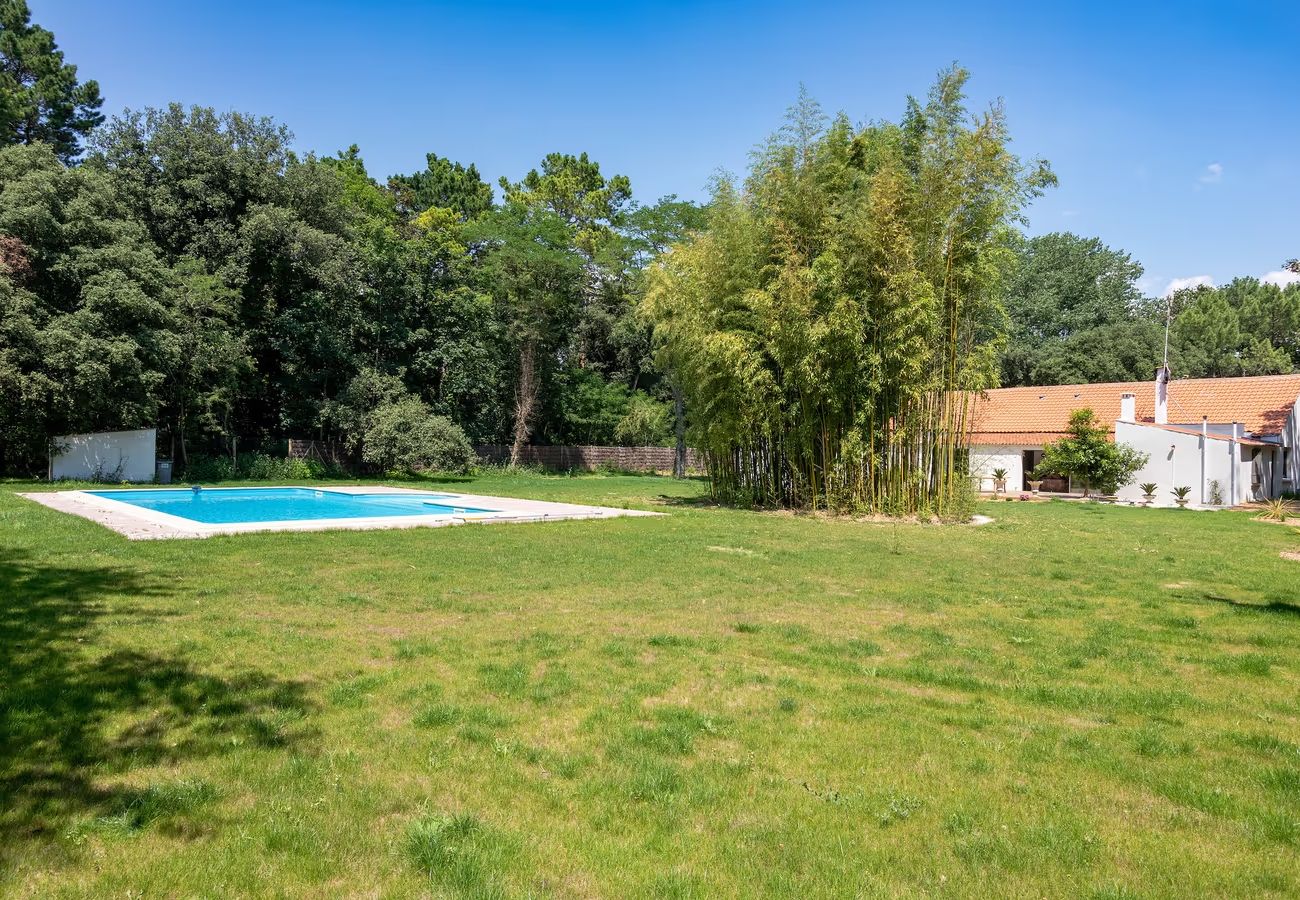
x=188 y=270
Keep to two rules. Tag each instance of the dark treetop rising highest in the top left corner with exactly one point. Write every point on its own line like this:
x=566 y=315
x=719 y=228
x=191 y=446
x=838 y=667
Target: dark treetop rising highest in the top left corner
x=41 y=99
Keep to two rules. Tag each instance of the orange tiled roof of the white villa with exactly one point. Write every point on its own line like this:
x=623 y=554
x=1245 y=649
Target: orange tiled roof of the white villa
x=1038 y=416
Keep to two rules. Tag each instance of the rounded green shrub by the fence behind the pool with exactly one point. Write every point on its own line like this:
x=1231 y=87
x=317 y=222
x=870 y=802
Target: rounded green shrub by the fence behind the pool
x=405 y=436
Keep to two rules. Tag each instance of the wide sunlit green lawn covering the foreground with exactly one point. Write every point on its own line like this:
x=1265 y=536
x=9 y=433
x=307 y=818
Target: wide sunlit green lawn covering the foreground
x=1074 y=700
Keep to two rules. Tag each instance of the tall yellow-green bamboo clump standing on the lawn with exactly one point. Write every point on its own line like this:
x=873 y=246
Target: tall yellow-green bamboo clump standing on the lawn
x=831 y=324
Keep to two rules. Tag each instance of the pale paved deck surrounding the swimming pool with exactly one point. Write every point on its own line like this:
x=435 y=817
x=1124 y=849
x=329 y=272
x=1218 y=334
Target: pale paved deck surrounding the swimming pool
x=141 y=525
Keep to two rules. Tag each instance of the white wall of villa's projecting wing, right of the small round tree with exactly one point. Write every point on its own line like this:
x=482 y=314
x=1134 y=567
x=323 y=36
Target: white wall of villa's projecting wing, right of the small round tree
x=1176 y=461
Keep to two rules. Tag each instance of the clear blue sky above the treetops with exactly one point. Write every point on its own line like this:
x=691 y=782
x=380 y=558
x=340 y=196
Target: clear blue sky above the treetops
x=1173 y=128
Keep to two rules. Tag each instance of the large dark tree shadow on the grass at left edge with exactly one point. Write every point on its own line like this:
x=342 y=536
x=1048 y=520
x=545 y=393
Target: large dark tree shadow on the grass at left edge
x=73 y=720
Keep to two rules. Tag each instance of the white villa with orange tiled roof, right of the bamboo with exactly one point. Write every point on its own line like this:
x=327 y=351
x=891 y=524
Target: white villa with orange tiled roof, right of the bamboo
x=1230 y=440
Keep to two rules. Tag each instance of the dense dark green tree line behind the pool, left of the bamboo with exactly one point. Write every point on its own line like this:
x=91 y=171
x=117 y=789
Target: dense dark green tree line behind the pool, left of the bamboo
x=190 y=271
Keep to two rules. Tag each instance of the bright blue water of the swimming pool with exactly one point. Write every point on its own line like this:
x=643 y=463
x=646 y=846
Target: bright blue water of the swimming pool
x=242 y=505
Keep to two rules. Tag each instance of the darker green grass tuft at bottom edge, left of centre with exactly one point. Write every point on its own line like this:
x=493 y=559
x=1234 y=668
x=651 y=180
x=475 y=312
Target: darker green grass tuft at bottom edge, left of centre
x=462 y=854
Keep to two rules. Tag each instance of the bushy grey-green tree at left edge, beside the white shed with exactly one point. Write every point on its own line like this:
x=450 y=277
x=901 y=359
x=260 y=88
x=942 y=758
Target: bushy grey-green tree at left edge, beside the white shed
x=86 y=309
